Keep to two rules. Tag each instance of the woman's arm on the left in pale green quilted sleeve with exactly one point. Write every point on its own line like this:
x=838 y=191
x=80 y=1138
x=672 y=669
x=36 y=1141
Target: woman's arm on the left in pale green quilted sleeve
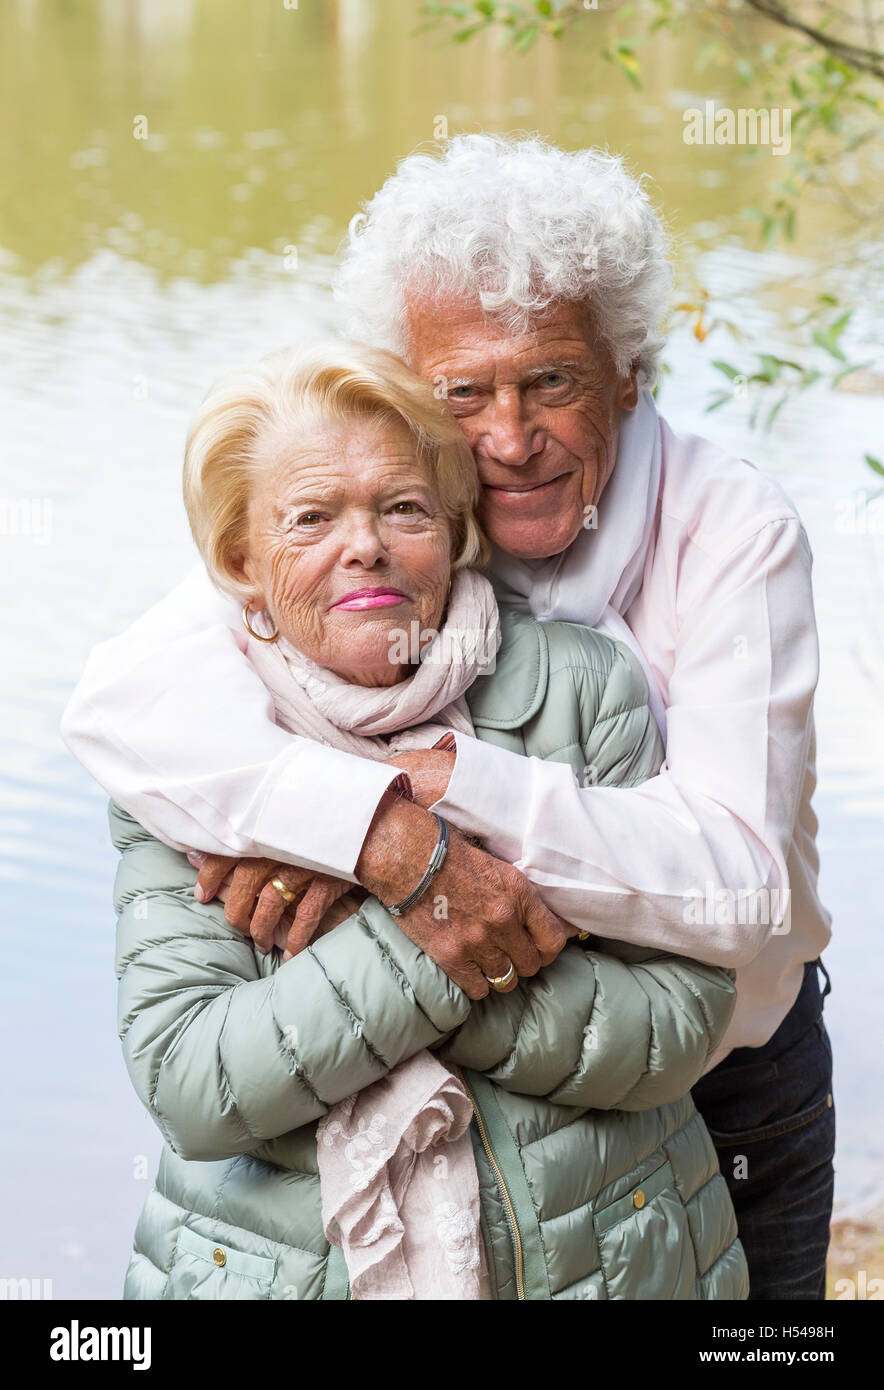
x=229 y=1050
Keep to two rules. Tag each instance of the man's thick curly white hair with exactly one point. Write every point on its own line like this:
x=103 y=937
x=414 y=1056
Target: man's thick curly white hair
x=519 y=226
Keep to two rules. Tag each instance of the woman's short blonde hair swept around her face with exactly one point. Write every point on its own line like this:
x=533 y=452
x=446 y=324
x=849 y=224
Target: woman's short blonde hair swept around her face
x=334 y=384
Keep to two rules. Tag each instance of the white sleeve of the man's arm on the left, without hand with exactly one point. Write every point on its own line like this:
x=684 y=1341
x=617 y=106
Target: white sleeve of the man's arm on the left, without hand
x=172 y=719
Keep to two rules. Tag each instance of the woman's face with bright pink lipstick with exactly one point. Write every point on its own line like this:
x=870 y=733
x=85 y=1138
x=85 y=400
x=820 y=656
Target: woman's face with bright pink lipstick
x=348 y=544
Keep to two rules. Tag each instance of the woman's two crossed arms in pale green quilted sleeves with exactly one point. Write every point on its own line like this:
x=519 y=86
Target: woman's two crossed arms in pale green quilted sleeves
x=230 y=1052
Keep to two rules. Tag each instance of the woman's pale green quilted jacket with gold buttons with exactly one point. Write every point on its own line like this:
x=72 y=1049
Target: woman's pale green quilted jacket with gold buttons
x=598 y=1178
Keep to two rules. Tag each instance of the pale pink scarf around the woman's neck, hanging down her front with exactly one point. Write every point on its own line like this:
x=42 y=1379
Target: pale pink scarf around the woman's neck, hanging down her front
x=398 y=1178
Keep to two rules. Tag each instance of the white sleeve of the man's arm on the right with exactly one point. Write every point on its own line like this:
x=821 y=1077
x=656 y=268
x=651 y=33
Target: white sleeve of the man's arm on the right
x=722 y=812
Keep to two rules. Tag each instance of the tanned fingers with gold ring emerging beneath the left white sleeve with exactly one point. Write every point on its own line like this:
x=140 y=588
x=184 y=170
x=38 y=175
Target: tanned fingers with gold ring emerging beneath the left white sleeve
x=256 y=907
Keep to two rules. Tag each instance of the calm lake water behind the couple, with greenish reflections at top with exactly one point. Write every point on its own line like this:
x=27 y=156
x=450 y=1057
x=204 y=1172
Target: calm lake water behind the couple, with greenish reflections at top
x=131 y=273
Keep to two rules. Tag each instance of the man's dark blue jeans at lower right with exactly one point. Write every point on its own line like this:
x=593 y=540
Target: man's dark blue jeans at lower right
x=772 y=1118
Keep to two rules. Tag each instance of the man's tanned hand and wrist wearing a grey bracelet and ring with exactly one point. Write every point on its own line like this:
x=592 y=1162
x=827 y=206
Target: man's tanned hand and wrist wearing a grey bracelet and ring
x=477 y=917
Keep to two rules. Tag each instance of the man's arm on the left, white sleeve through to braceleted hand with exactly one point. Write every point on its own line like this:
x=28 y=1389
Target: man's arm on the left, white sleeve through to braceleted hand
x=174 y=722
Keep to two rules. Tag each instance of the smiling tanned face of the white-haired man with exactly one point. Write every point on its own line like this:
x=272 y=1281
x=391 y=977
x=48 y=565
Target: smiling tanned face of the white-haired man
x=541 y=414
